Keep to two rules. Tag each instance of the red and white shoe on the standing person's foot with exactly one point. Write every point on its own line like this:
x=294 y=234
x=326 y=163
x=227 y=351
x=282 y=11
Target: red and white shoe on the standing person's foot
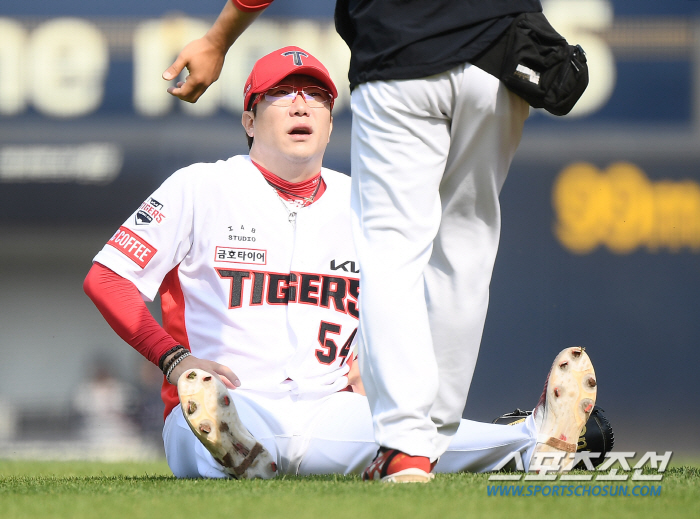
x=392 y=466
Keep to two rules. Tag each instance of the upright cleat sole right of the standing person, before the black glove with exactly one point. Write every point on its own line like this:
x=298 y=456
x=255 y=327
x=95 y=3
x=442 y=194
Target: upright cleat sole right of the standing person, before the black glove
x=566 y=403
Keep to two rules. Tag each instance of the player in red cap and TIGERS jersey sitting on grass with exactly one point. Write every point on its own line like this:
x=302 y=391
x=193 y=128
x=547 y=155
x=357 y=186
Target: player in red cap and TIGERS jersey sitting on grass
x=254 y=262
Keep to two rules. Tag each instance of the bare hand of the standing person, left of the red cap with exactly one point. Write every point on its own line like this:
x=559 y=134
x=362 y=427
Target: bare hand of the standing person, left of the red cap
x=204 y=61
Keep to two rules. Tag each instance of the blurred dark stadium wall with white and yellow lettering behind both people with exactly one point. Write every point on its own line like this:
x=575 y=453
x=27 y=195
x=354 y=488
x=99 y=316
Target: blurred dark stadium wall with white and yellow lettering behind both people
x=601 y=212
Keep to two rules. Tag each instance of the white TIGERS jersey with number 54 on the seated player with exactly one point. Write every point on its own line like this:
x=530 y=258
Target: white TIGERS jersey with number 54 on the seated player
x=241 y=283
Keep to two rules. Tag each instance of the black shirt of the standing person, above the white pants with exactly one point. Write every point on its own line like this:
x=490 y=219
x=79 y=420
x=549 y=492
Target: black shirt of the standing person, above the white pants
x=409 y=39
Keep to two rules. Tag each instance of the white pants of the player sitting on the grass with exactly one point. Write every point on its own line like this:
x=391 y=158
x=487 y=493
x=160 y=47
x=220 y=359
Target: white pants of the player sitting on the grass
x=333 y=435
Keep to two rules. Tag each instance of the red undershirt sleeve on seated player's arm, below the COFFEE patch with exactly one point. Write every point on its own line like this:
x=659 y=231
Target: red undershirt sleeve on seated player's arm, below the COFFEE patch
x=120 y=303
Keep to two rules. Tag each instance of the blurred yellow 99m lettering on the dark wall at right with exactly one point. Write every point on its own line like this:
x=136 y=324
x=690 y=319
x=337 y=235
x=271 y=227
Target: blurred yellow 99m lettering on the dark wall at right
x=620 y=208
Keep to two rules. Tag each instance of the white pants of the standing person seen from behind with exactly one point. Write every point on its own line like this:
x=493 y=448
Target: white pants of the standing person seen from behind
x=429 y=158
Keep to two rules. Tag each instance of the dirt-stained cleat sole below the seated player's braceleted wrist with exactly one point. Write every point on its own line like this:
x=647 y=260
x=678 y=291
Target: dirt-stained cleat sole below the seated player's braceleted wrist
x=211 y=415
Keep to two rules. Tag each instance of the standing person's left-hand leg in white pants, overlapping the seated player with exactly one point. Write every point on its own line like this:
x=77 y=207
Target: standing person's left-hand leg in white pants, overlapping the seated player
x=400 y=144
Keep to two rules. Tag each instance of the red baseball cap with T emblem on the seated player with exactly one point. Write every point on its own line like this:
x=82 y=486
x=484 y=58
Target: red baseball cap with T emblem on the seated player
x=271 y=69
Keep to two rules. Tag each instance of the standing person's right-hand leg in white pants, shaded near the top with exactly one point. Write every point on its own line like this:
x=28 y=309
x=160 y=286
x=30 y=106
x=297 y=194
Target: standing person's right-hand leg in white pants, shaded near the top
x=487 y=123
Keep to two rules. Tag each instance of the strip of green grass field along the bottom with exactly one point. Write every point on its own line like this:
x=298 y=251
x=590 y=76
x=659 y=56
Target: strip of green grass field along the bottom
x=148 y=490
